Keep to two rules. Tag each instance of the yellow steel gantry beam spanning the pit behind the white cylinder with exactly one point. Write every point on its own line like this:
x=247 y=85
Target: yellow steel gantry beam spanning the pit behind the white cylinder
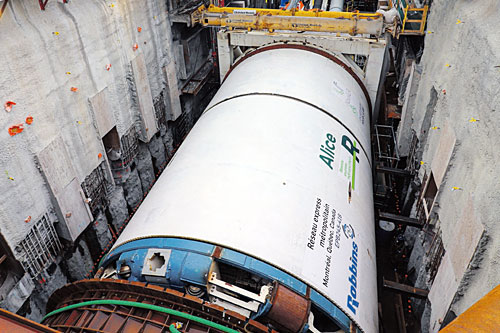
x=276 y=19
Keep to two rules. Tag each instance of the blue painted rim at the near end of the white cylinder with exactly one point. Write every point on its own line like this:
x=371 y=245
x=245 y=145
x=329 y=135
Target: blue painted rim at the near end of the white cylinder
x=189 y=262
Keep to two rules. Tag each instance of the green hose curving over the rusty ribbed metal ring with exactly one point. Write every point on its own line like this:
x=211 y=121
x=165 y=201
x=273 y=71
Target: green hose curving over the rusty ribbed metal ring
x=148 y=307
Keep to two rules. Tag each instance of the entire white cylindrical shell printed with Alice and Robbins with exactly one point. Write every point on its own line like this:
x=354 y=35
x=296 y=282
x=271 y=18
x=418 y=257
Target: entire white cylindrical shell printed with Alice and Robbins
x=254 y=174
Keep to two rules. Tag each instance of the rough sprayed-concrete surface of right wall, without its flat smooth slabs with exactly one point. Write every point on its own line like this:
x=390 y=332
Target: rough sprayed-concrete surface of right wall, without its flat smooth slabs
x=459 y=62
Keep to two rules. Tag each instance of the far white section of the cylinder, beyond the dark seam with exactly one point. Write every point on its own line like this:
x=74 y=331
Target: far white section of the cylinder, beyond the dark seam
x=307 y=76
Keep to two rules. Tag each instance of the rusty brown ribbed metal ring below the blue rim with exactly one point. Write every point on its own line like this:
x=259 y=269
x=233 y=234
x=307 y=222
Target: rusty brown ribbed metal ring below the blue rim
x=107 y=305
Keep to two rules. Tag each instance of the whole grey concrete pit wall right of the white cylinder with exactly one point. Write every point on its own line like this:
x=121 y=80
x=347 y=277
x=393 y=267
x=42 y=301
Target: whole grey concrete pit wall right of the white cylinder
x=460 y=59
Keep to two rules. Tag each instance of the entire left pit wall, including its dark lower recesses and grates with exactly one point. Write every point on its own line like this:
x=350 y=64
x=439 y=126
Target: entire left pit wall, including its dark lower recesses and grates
x=82 y=70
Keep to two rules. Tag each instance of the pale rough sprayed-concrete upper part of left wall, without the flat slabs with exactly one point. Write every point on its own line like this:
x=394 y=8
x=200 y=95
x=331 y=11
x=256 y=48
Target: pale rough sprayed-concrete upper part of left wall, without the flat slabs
x=45 y=54
